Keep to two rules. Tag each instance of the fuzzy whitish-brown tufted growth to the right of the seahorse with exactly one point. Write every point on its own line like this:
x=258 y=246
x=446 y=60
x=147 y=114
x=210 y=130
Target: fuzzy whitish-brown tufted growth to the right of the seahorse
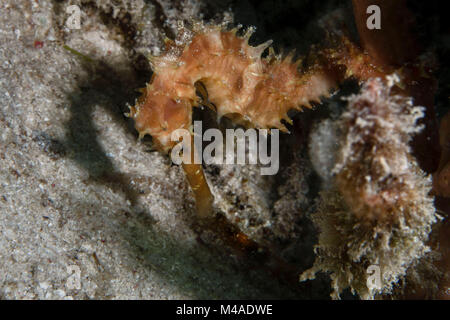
x=380 y=212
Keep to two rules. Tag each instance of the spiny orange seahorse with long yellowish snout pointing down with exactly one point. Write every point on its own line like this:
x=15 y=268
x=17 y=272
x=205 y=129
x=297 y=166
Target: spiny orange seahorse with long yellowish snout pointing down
x=252 y=91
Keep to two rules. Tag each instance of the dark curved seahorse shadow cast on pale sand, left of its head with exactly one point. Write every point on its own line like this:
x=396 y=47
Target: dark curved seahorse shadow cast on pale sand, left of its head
x=112 y=90
